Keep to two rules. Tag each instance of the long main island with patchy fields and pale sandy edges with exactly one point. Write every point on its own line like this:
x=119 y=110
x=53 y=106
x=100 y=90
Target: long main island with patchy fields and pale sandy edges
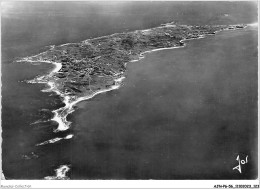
x=97 y=65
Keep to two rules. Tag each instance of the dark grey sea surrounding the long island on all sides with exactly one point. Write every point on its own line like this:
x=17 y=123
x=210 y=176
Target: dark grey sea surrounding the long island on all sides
x=181 y=114
